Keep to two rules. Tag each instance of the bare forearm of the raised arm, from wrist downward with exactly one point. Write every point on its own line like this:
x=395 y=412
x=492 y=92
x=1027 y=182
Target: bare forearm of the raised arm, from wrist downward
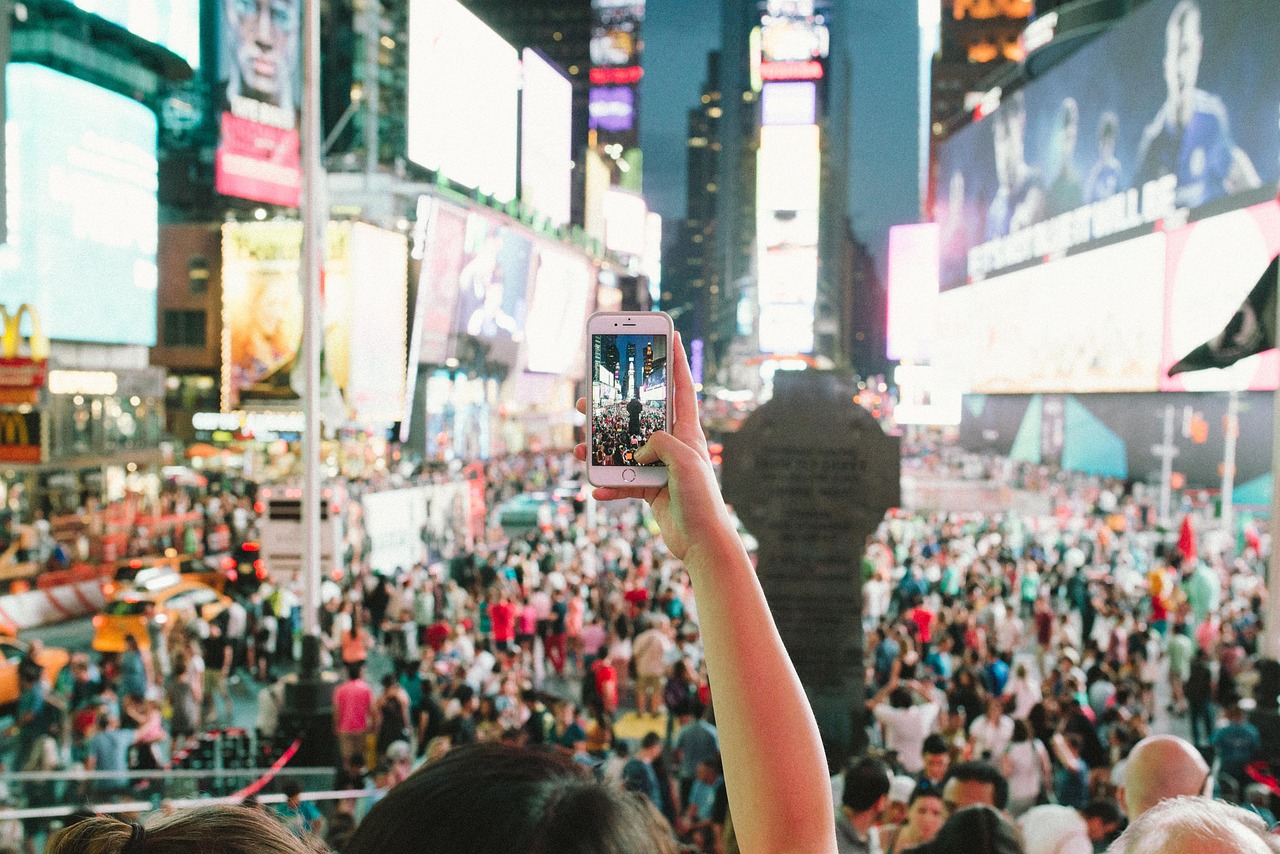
x=775 y=766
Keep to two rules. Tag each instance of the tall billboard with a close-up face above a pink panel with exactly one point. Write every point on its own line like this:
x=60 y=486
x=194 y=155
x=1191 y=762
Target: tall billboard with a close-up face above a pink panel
x=260 y=62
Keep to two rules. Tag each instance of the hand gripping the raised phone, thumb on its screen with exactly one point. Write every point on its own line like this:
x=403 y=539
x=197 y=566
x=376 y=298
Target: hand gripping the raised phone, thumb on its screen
x=691 y=505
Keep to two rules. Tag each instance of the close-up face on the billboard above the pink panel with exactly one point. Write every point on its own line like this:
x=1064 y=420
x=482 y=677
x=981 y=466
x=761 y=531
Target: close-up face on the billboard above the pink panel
x=260 y=45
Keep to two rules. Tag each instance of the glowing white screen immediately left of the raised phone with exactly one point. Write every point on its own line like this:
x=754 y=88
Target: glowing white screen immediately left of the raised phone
x=557 y=314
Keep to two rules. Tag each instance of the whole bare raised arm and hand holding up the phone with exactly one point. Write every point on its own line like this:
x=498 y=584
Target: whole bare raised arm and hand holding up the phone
x=774 y=760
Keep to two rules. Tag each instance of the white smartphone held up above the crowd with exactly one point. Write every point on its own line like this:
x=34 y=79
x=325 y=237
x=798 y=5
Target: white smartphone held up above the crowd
x=630 y=398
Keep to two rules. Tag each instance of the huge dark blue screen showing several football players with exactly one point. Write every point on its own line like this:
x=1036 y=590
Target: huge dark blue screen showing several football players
x=1173 y=111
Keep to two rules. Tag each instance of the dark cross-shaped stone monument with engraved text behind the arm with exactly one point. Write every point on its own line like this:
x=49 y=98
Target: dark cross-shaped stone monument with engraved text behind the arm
x=811 y=476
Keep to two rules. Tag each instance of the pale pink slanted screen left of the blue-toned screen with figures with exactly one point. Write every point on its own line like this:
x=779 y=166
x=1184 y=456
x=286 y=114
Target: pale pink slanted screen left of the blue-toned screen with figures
x=440 y=241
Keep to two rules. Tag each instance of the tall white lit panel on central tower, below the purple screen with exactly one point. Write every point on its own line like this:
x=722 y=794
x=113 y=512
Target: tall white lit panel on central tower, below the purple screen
x=788 y=185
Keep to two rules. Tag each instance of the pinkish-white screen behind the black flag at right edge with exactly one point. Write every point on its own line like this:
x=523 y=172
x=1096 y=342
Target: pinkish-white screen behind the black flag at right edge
x=1212 y=268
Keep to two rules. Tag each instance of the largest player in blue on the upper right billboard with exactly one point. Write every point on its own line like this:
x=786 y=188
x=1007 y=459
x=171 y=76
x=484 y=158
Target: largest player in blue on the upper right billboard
x=1191 y=136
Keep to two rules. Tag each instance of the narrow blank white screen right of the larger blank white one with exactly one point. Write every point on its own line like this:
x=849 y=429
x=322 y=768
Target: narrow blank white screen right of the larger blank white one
x=546 y=139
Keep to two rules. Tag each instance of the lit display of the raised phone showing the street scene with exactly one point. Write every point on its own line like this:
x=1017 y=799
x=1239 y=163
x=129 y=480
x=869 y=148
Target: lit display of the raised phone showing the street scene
x=629 y=395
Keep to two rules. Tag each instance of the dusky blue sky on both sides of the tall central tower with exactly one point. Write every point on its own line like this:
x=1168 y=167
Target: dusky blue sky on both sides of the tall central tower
x=883 y=45
